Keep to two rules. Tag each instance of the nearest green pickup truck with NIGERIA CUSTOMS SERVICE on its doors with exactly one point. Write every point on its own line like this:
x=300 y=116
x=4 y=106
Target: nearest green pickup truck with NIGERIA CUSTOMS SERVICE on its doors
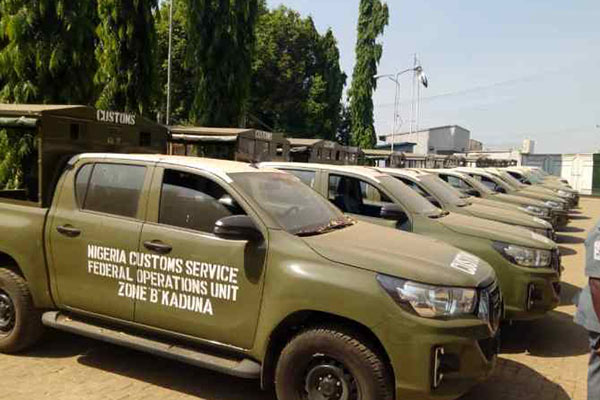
x=233 y=268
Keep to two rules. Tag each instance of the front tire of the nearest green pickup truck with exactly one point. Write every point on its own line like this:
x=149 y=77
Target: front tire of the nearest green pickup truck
x=328 y=361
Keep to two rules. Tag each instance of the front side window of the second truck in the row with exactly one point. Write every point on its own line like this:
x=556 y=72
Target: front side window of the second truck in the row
x=356 y=196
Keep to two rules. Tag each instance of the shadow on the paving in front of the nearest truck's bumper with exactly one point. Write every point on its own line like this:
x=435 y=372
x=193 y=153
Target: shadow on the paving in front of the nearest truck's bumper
x=511 y=380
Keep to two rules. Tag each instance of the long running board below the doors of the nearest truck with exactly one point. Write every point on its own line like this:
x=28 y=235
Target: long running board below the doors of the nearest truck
x=241 y=368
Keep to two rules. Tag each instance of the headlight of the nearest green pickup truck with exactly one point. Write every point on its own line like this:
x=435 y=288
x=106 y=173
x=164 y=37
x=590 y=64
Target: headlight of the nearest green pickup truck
x=430 y=301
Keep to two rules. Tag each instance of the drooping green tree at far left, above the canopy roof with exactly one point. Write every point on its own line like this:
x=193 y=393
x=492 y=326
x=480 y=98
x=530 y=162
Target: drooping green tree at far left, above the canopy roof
x=46 y=53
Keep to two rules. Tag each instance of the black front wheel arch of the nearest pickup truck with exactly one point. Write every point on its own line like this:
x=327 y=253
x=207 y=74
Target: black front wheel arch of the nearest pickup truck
x=301 y=320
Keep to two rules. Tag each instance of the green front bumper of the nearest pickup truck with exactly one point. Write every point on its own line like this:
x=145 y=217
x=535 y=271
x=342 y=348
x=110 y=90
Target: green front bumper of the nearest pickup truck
x=469 y=356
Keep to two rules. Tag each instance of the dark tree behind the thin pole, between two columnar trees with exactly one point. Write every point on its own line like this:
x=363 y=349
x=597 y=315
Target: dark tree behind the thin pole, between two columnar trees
x=182 y=92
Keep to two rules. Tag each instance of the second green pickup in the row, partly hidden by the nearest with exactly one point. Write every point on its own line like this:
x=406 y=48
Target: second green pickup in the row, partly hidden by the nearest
x=527 y=264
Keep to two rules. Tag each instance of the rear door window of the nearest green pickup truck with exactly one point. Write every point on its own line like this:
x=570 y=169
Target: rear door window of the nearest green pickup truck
x=113 y=189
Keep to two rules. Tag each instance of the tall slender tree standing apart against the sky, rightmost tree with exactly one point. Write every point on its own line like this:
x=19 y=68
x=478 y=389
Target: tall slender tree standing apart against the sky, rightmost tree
x=372 y=20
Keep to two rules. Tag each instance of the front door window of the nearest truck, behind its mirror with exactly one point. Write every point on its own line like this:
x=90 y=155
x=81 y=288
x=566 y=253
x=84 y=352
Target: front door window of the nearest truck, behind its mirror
x=194 y=202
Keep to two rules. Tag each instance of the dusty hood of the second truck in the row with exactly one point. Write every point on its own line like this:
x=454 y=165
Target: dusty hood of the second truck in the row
x=496 y=231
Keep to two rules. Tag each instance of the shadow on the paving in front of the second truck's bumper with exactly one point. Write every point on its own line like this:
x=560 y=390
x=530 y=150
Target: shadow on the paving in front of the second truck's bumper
x=555 y=335
